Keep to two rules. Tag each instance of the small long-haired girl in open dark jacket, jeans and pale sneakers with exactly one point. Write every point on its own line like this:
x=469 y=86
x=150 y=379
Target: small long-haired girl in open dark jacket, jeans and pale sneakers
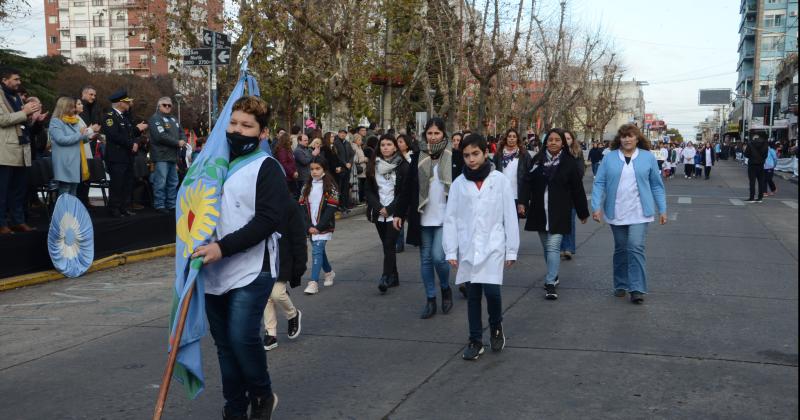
x=321 y=200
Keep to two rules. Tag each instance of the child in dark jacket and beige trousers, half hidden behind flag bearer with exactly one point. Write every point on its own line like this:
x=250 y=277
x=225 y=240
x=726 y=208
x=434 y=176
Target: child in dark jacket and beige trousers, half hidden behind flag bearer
x=293 y=258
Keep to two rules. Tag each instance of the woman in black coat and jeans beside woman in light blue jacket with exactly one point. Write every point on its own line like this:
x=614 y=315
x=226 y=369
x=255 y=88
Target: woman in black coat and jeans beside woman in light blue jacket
x=552 y=189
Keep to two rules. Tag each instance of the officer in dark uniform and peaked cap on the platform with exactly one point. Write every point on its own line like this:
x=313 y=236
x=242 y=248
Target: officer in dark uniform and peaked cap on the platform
x=120 y=133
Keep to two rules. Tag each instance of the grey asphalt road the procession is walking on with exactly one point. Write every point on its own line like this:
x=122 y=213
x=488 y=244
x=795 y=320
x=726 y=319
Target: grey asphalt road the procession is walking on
x=716 y=338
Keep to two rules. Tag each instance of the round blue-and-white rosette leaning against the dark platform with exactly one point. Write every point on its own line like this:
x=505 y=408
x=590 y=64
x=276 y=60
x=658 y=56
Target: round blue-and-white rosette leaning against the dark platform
x=70 y=240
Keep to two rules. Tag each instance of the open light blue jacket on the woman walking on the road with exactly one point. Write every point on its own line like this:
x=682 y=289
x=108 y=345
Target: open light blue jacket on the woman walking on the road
x=648 y=179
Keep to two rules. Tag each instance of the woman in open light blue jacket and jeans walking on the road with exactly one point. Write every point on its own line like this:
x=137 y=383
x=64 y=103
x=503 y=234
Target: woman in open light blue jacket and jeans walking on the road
x=629 y=190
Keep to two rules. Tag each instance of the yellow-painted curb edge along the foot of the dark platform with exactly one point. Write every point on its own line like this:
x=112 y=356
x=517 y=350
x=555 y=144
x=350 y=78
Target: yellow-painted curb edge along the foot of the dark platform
x=112 y=261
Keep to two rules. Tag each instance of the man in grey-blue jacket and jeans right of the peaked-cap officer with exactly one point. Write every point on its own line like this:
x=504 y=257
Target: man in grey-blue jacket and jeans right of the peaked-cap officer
x=166 y=139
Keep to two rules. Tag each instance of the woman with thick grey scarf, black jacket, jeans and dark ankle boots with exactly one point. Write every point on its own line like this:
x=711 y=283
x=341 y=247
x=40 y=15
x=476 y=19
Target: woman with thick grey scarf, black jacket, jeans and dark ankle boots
x=423 y=204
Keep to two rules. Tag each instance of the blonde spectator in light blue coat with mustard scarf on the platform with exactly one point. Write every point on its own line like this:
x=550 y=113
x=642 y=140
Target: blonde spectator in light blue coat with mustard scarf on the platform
x=67 y=137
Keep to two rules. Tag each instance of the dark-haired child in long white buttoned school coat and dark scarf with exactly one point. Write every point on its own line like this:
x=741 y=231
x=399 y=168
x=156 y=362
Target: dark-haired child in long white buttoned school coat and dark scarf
x=480 y=236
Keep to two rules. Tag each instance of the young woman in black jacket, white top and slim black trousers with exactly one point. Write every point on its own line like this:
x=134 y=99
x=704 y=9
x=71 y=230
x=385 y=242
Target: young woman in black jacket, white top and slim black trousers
x=387 y=173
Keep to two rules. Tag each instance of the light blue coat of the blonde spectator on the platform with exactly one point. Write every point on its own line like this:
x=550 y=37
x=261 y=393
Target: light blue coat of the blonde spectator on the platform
x=66 y=145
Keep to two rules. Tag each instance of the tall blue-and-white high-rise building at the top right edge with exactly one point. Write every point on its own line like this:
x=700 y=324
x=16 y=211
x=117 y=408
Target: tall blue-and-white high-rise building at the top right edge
x=767 y=34
